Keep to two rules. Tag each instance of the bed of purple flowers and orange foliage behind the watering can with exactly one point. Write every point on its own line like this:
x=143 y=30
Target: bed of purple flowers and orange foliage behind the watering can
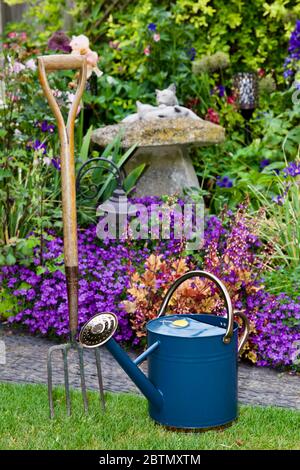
x=131 y=277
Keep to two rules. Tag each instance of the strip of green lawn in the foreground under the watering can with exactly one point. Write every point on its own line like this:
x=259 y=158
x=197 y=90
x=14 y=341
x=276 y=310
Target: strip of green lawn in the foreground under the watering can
x=24 y=424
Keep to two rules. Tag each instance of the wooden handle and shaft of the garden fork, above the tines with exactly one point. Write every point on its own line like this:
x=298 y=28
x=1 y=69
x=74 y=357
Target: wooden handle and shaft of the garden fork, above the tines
x=66 y=136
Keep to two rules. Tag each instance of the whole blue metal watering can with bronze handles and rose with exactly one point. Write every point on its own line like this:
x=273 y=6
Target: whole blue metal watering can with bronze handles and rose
x=192 y=362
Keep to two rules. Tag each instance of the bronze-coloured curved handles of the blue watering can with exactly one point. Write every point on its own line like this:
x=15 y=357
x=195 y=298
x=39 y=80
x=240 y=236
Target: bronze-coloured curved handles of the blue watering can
x=229 y=331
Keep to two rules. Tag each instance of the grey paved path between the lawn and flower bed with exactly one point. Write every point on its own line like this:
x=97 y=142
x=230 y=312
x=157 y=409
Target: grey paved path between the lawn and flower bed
x=26 y=363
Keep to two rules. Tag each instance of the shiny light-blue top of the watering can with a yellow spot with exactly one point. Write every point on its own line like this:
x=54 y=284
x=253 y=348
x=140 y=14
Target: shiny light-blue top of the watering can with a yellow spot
x=185 y=326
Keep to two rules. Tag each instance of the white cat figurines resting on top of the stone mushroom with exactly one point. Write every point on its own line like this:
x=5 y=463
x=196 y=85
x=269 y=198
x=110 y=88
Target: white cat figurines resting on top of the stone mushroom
x=167 y=108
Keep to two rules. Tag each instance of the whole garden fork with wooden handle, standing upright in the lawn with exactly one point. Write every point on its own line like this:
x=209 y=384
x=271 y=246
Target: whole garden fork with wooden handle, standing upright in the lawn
x=66 y=135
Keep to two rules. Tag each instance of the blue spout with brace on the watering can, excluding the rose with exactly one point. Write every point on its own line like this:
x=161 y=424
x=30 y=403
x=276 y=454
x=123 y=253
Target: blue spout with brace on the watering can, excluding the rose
x=131 y=368
